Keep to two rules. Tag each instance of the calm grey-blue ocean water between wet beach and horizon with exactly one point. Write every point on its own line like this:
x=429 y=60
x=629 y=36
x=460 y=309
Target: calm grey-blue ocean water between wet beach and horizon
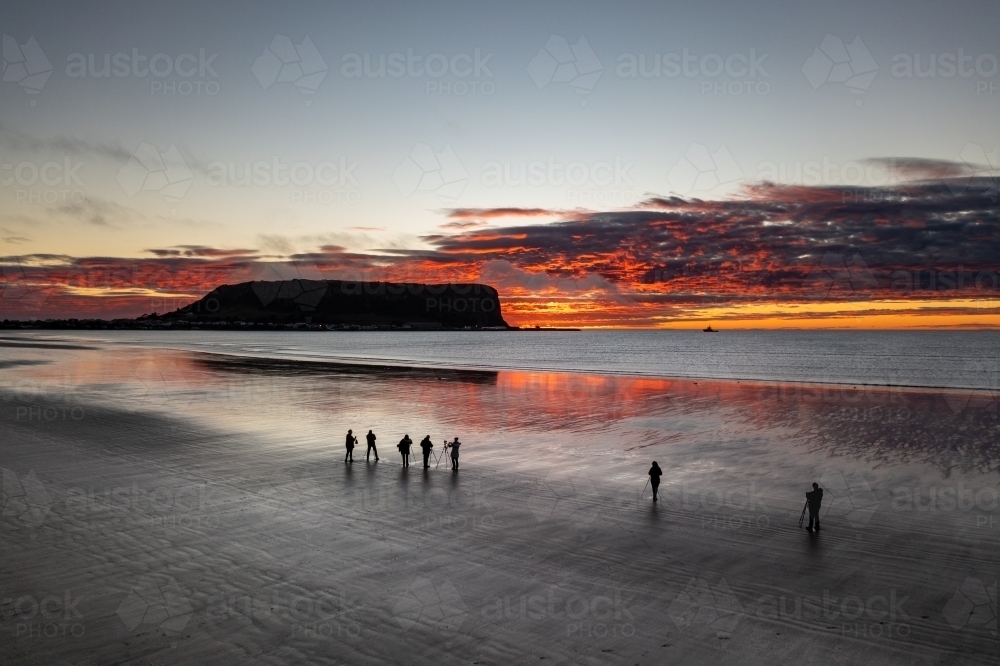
x=938 y=359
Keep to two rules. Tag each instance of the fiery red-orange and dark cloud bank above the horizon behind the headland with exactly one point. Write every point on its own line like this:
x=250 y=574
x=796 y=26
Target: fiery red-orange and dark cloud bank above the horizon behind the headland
x=919 y=254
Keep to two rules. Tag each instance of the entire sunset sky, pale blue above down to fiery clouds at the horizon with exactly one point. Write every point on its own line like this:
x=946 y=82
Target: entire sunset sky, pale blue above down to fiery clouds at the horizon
x=769 y=165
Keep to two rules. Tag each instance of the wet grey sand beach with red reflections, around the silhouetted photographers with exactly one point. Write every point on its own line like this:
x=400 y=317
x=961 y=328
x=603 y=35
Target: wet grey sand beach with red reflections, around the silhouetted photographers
x=172 y=507
